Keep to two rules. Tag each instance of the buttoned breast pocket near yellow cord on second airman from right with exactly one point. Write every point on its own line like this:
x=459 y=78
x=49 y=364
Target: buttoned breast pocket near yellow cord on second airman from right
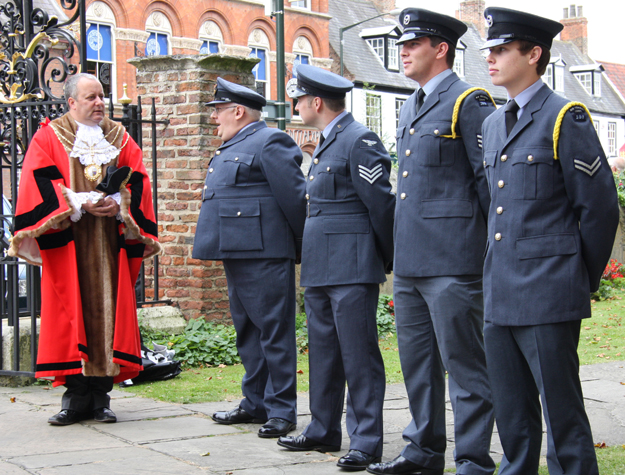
x=436 y=148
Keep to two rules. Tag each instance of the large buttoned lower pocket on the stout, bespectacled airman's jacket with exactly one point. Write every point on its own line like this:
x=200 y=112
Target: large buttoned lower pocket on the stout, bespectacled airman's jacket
x=239 y=225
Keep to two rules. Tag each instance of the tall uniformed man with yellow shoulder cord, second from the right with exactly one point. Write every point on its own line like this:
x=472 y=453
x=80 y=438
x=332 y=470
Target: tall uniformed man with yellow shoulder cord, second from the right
x=440 y=238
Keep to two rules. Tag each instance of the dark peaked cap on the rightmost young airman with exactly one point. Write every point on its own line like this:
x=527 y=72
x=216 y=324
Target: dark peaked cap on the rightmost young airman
x=505 y=26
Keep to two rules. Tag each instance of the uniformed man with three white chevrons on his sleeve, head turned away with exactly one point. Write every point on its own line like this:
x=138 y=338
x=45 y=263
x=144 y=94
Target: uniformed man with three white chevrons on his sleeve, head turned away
x=347 y=245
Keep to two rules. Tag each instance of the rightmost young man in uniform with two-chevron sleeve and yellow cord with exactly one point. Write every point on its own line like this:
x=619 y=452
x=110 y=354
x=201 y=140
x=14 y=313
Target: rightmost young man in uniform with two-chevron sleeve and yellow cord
x=551 y=227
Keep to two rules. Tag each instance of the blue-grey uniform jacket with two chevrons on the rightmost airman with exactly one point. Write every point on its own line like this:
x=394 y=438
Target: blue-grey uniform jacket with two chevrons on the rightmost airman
x=552 y=222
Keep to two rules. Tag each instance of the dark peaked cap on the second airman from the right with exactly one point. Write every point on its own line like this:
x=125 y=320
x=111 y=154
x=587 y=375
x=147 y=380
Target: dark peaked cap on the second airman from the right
x=418 y=22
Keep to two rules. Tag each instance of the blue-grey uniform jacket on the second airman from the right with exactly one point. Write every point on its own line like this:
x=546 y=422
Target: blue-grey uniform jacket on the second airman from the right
x=442 y=194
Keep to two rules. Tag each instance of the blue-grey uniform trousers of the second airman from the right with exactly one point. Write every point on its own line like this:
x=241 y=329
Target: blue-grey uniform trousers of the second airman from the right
x=439 y=327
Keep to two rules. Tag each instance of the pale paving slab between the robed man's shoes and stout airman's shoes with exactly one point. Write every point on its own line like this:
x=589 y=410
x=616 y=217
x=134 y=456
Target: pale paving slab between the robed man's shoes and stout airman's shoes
x=176 y=428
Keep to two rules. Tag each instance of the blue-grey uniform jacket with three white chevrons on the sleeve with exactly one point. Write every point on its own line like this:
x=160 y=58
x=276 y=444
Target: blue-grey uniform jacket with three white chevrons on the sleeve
x=348 y=237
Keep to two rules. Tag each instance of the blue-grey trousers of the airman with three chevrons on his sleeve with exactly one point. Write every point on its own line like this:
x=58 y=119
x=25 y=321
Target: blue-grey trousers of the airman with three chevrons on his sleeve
x=343 y=347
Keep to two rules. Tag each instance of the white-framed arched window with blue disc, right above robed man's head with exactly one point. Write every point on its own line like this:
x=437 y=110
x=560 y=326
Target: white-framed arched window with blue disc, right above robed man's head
x=101 y=45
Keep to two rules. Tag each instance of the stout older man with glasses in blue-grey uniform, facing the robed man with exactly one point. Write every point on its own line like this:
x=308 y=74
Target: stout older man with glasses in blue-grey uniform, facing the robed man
x=252 y=218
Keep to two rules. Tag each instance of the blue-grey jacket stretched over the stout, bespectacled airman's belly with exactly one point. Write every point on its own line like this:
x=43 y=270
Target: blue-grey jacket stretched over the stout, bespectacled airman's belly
x=253 y=204
